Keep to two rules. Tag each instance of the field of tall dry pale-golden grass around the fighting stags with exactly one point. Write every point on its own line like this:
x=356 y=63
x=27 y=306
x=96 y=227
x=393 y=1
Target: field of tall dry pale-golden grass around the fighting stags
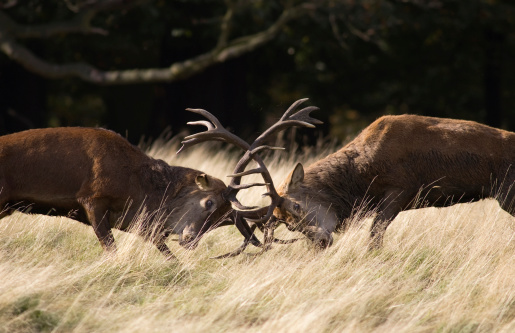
x=441 y=270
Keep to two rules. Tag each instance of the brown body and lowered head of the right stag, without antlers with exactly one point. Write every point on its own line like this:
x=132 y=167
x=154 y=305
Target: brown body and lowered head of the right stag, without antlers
x=394 y=161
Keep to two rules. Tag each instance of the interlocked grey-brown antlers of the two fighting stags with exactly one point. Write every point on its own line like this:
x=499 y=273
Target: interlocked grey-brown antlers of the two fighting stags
x=260 y=217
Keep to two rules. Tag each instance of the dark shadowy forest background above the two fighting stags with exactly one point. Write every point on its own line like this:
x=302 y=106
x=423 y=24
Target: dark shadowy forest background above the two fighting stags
x=356 y=60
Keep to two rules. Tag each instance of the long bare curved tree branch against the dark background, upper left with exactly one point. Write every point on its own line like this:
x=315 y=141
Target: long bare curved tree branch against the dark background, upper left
x=177 y=71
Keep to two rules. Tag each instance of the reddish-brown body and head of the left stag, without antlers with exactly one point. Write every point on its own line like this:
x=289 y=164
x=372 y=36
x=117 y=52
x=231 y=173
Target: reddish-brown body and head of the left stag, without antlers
x=97 y=177
